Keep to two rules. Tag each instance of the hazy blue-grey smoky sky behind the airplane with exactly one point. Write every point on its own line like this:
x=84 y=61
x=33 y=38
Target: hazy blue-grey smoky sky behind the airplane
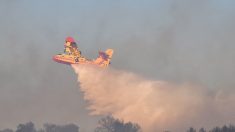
x=173 y=40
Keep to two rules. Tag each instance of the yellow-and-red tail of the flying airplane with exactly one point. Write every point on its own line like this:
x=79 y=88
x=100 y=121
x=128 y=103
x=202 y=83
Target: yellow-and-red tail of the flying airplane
x=104 y=58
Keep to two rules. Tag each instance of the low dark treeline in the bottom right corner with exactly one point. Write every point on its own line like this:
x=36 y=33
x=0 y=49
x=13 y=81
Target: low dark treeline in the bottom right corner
x=225 y=128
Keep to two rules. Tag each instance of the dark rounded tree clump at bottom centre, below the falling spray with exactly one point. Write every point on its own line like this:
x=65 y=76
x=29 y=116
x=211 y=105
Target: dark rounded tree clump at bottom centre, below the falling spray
x=110 y=124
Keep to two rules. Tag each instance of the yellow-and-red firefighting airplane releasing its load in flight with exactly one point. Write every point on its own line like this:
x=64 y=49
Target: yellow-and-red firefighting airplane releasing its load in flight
x=72 y=55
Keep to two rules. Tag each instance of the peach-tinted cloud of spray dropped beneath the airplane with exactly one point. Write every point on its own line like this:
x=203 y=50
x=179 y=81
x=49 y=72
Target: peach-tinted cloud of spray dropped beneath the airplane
x=155 y=105
